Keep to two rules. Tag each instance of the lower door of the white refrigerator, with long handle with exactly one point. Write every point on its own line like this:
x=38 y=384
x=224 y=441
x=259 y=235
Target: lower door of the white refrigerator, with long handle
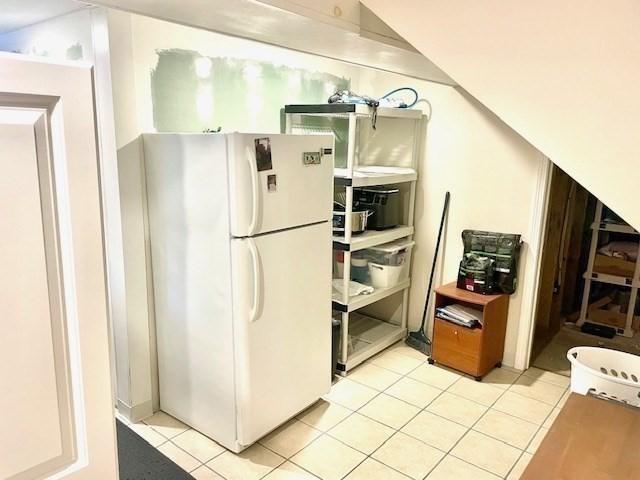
x=282 y=325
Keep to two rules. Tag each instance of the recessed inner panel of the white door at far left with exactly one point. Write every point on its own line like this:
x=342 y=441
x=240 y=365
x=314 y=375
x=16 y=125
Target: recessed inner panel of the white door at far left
x=31 y=302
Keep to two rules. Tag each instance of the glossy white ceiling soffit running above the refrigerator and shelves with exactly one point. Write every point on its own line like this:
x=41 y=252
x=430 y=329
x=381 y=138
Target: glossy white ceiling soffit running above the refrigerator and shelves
x=270 y=24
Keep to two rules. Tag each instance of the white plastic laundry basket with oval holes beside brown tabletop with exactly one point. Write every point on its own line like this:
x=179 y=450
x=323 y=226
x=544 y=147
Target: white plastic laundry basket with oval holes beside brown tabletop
x=606 y=373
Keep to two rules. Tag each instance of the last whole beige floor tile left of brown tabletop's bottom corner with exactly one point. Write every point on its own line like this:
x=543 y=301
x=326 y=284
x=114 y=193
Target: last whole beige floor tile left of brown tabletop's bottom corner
x=487 y=453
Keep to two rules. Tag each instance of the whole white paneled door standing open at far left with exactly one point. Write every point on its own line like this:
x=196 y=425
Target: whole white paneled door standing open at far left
x=56 y=402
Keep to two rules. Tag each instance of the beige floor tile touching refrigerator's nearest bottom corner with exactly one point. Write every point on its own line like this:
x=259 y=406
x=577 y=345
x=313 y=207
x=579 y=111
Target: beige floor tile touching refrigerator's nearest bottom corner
x=253 y=463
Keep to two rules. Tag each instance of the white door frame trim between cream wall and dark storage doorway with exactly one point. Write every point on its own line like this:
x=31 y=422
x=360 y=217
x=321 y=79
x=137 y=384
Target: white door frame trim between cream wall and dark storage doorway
x=531 y=280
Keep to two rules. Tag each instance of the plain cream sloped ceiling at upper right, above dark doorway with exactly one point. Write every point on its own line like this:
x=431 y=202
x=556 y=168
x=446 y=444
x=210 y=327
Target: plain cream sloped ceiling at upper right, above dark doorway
x=565 y=75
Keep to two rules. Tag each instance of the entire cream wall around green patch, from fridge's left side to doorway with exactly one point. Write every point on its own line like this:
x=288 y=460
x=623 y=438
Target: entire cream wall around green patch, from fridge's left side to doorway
x=492 y=173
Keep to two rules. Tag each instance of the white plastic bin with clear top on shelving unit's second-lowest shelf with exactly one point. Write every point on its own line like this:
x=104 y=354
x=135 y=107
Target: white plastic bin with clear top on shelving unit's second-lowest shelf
x=389 y=263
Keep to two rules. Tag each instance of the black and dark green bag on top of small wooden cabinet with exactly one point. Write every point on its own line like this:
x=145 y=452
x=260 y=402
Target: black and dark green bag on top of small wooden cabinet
x=504 y=249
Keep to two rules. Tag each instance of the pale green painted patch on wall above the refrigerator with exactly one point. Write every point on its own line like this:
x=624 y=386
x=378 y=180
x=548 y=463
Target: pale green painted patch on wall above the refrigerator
x=192 y=93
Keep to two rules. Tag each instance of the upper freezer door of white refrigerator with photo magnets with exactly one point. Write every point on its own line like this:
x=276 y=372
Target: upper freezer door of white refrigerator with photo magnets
x=279 y=181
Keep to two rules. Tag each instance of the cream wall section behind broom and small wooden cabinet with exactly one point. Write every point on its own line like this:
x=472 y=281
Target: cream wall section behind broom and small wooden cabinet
x=492 y=175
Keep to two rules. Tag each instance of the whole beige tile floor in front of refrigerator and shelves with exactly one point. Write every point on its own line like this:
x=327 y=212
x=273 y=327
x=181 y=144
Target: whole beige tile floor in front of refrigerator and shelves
x=394 y=418
